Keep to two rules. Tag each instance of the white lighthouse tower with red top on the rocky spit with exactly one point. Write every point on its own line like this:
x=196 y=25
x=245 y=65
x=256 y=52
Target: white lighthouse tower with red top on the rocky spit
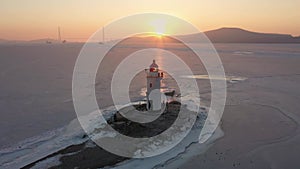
x=154 y=76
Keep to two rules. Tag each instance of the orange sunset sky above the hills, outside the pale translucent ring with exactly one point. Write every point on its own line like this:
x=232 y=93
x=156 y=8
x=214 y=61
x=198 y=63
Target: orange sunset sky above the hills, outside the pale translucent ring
x=78 y=19
